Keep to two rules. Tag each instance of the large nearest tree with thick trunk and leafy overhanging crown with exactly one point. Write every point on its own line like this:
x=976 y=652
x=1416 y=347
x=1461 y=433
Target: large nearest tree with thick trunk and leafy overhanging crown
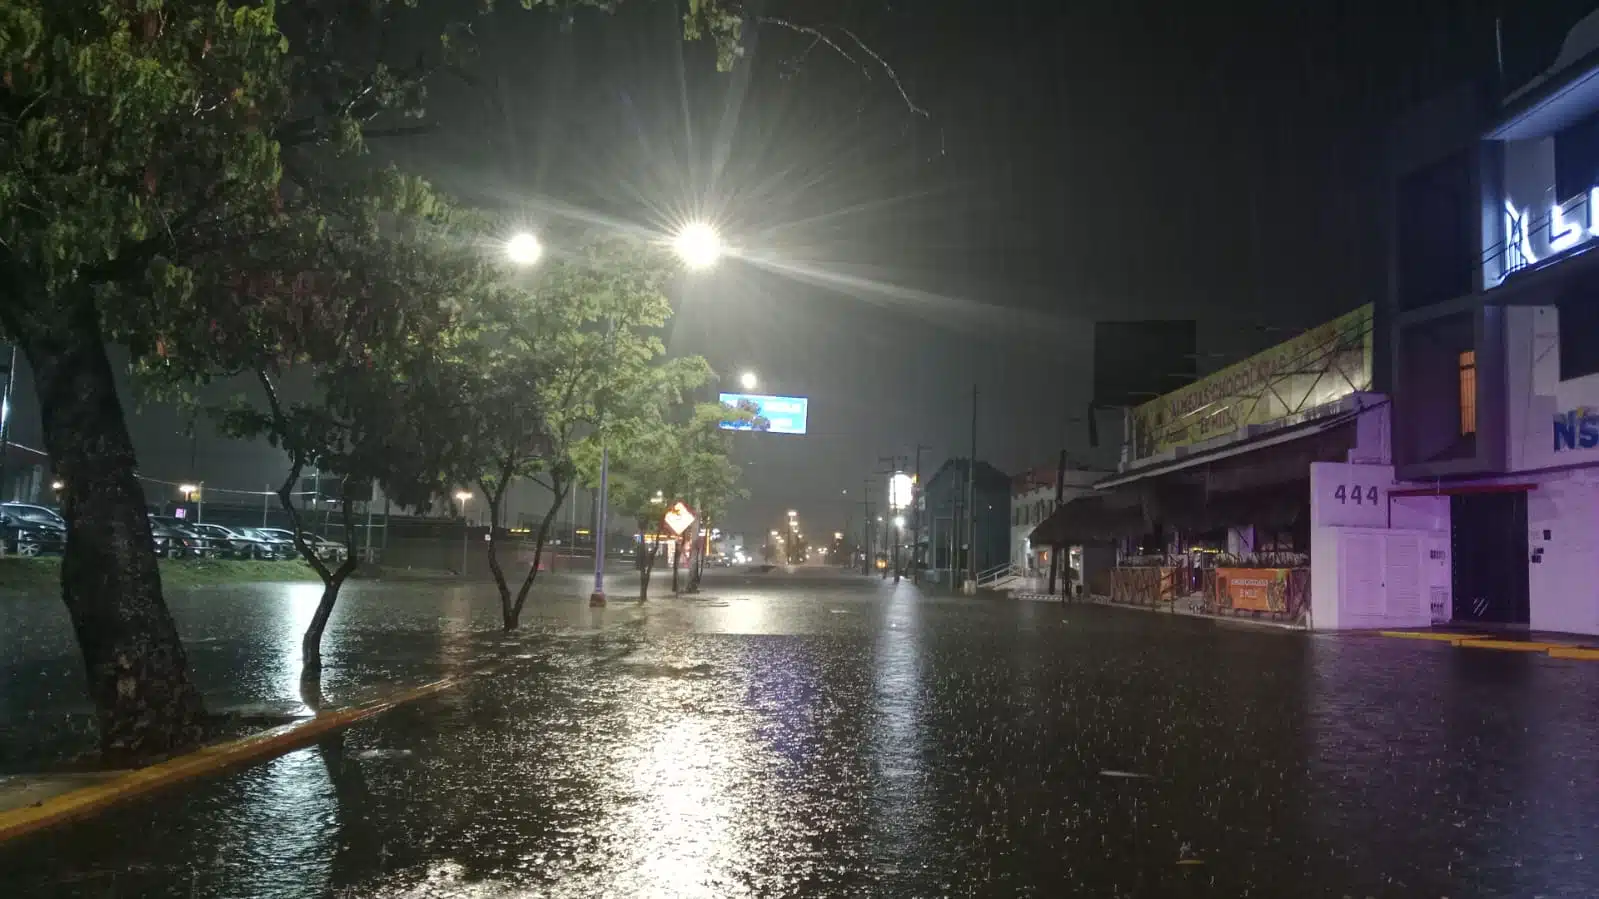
x=159 y=159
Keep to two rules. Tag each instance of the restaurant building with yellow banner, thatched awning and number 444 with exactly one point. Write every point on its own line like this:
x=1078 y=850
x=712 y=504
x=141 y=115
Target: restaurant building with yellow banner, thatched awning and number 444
x=1218 y=505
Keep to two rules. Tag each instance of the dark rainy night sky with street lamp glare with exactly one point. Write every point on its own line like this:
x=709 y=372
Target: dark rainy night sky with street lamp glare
x=1064 y=162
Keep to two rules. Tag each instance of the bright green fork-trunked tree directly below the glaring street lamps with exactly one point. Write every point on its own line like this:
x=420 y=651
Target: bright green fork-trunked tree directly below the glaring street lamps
x=576 y=353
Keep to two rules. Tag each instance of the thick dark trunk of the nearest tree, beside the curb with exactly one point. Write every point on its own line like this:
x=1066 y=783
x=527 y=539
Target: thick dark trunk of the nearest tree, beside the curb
x=138 y=676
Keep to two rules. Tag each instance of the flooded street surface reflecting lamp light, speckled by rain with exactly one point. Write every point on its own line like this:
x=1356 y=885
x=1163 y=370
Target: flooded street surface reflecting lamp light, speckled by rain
x=811 y=737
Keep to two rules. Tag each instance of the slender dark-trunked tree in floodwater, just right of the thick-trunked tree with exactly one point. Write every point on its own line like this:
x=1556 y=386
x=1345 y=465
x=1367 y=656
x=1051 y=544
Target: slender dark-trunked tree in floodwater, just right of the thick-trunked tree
x=393 y=287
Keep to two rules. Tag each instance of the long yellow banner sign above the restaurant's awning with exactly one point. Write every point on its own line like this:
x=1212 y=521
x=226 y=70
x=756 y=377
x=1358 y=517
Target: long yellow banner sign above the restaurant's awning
x=1318 y=367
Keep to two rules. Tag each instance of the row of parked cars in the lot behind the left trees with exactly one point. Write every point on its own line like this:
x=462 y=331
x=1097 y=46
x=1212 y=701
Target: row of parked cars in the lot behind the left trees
x=38 y=530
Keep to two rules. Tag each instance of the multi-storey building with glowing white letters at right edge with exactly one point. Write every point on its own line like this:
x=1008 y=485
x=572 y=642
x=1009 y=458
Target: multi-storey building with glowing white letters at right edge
x=1494 y=340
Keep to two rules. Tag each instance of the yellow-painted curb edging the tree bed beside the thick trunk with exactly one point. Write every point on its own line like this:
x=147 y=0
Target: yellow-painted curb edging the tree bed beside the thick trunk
x=199 y=764
